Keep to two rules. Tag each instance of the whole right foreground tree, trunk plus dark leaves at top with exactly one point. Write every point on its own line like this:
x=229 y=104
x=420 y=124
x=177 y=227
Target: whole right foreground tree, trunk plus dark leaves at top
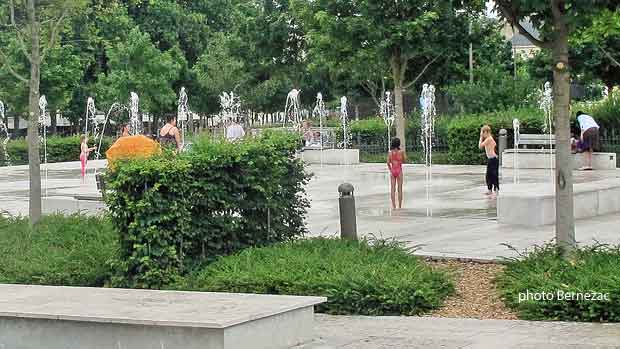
x=556 y=20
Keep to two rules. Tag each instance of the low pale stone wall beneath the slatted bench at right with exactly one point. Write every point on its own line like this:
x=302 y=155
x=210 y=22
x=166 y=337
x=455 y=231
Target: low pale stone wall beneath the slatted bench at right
x=545 y=158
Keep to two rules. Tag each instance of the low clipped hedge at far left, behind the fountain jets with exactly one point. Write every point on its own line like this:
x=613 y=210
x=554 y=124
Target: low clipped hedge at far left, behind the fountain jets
x=59 y=149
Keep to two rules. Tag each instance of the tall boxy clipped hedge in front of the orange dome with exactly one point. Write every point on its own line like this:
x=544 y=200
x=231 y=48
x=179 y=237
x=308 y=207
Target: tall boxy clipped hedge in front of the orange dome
x=175 y=211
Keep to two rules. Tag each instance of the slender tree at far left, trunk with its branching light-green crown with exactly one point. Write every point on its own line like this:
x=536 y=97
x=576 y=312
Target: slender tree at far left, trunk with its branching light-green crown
x=37 y=24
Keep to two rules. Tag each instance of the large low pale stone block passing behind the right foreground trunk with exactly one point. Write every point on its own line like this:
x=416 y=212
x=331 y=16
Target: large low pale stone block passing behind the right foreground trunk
x=533 y=204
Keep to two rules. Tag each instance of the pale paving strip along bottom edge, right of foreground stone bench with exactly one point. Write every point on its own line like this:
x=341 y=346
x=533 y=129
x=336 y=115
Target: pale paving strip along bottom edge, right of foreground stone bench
x=348 y=332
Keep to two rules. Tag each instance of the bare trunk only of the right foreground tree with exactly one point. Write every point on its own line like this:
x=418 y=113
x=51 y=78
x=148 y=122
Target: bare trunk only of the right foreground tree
x=564 y=217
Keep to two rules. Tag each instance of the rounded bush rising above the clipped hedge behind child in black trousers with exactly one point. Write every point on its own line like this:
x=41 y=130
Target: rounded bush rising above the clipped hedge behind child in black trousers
x=493 y=89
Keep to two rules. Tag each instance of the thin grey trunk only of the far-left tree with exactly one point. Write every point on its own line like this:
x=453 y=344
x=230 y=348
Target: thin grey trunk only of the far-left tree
x=34 y=159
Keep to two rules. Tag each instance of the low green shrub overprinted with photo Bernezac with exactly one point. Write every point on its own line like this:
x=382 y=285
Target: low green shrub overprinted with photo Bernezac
x=543 y=270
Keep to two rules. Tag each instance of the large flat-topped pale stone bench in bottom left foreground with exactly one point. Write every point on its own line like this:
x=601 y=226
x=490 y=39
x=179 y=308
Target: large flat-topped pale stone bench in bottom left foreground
x=97 y=318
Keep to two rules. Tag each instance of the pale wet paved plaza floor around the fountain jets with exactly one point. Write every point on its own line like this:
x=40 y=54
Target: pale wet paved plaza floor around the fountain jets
x=456 y=220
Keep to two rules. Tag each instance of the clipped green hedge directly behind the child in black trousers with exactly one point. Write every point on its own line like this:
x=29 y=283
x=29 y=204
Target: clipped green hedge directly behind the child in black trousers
x=464 y=131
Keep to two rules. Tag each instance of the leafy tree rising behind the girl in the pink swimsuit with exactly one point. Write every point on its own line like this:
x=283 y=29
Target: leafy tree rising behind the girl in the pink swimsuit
x=406 y=36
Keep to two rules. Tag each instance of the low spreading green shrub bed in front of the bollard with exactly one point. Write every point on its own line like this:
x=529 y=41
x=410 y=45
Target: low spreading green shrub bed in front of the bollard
x=378 y=278
